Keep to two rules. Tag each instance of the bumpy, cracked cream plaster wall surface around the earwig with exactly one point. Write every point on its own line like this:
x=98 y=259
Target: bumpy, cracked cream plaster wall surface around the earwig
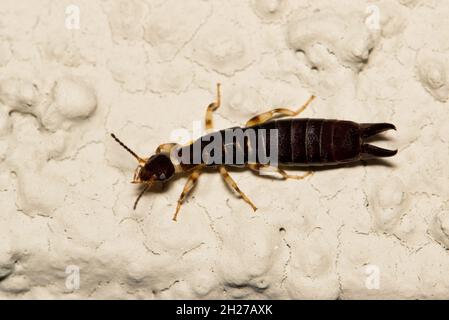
x=71 y=72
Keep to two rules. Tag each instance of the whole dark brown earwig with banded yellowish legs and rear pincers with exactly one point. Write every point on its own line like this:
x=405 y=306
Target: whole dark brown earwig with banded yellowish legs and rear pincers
x=299 y=142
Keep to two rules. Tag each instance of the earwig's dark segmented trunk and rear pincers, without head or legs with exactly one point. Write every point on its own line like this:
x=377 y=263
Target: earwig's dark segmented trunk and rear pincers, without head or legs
x=297 y=142
